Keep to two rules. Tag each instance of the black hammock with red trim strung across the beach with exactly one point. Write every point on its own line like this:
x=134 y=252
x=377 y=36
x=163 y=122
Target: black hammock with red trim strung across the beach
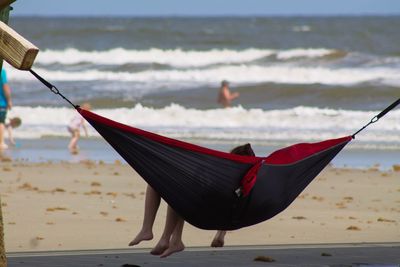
x=217 y=190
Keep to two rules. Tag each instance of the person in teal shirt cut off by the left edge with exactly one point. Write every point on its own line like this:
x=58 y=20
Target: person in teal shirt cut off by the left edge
x=5 y=105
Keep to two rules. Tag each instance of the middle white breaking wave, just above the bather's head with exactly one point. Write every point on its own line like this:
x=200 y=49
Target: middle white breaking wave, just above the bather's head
x=240 y=75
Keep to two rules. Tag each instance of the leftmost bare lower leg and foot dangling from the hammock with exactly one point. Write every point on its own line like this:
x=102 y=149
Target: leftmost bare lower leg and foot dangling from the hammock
x=151 y=204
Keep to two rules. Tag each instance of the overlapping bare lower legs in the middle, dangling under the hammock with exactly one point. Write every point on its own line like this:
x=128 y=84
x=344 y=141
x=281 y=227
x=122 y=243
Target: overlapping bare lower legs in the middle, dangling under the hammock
x=171 y=235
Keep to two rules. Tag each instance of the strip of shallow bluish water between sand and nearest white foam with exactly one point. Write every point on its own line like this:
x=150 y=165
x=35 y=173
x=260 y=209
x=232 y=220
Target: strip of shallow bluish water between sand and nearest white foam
x=55 y=150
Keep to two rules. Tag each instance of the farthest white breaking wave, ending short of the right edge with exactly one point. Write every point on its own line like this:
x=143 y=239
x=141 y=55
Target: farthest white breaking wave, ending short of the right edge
x=174 y=57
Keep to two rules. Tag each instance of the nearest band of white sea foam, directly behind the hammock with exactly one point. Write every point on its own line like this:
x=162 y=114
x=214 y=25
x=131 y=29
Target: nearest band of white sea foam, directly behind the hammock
x=254 y=125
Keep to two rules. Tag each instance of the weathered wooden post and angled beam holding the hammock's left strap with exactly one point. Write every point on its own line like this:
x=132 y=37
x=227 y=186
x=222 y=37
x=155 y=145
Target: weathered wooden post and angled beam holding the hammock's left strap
x=21 y=54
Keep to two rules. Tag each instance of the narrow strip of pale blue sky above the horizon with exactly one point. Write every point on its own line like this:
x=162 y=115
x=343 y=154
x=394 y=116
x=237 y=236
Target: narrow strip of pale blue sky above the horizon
x=204 y=7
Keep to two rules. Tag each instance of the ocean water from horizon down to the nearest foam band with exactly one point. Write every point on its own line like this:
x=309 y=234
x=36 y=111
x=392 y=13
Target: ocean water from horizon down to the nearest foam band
x=278 y=62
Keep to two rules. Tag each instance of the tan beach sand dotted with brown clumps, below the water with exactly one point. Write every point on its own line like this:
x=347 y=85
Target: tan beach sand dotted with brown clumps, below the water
x=92 y=205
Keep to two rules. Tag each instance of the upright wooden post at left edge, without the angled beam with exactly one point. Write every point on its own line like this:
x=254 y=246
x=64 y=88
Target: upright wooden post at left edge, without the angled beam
x=4 y=15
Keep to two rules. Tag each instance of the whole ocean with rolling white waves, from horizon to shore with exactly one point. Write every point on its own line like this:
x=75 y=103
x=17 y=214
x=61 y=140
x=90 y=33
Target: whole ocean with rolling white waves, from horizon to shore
x=300 y=79
